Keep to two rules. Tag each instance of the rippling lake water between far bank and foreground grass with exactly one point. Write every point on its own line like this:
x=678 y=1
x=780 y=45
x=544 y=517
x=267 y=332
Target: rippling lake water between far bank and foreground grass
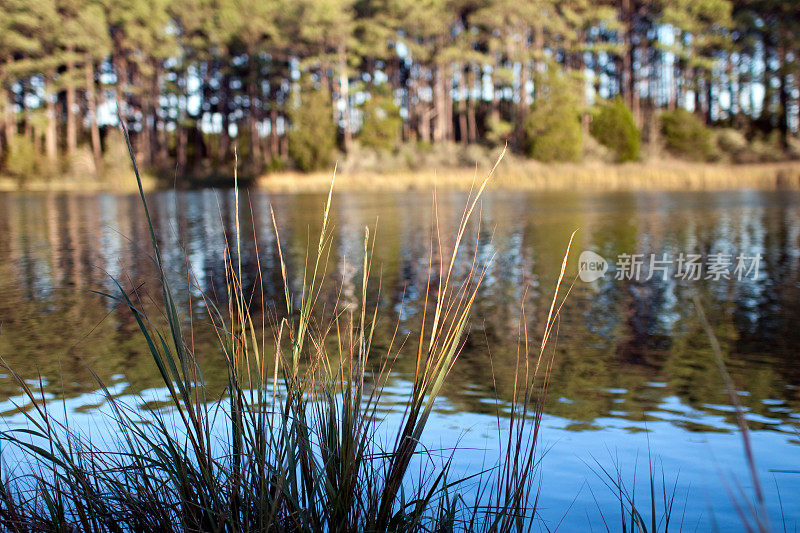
x=634 y=374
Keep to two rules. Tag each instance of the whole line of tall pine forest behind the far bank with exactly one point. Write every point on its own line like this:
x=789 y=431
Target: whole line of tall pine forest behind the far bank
x=288 y=82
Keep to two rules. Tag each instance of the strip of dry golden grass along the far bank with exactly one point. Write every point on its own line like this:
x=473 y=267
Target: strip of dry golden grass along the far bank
x=661 y=175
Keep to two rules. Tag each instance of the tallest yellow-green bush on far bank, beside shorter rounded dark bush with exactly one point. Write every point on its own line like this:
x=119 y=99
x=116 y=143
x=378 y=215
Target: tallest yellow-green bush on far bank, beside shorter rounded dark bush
x=553 y=129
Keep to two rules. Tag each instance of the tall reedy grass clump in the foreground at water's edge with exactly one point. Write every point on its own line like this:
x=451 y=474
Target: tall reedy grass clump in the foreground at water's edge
x=296 y=443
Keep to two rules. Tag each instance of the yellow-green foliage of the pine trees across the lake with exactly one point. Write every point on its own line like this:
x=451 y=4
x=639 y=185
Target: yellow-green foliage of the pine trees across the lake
x=54 y=49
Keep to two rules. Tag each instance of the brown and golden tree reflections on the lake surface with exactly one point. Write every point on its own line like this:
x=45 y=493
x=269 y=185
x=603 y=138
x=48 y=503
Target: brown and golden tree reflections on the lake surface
x=630 y=352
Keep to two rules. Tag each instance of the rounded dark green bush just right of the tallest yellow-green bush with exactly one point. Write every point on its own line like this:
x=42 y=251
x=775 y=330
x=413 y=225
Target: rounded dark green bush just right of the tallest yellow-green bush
x=614 y=127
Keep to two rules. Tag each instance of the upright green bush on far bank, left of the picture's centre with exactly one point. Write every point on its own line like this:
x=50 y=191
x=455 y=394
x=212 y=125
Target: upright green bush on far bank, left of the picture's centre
x=312 y=139
